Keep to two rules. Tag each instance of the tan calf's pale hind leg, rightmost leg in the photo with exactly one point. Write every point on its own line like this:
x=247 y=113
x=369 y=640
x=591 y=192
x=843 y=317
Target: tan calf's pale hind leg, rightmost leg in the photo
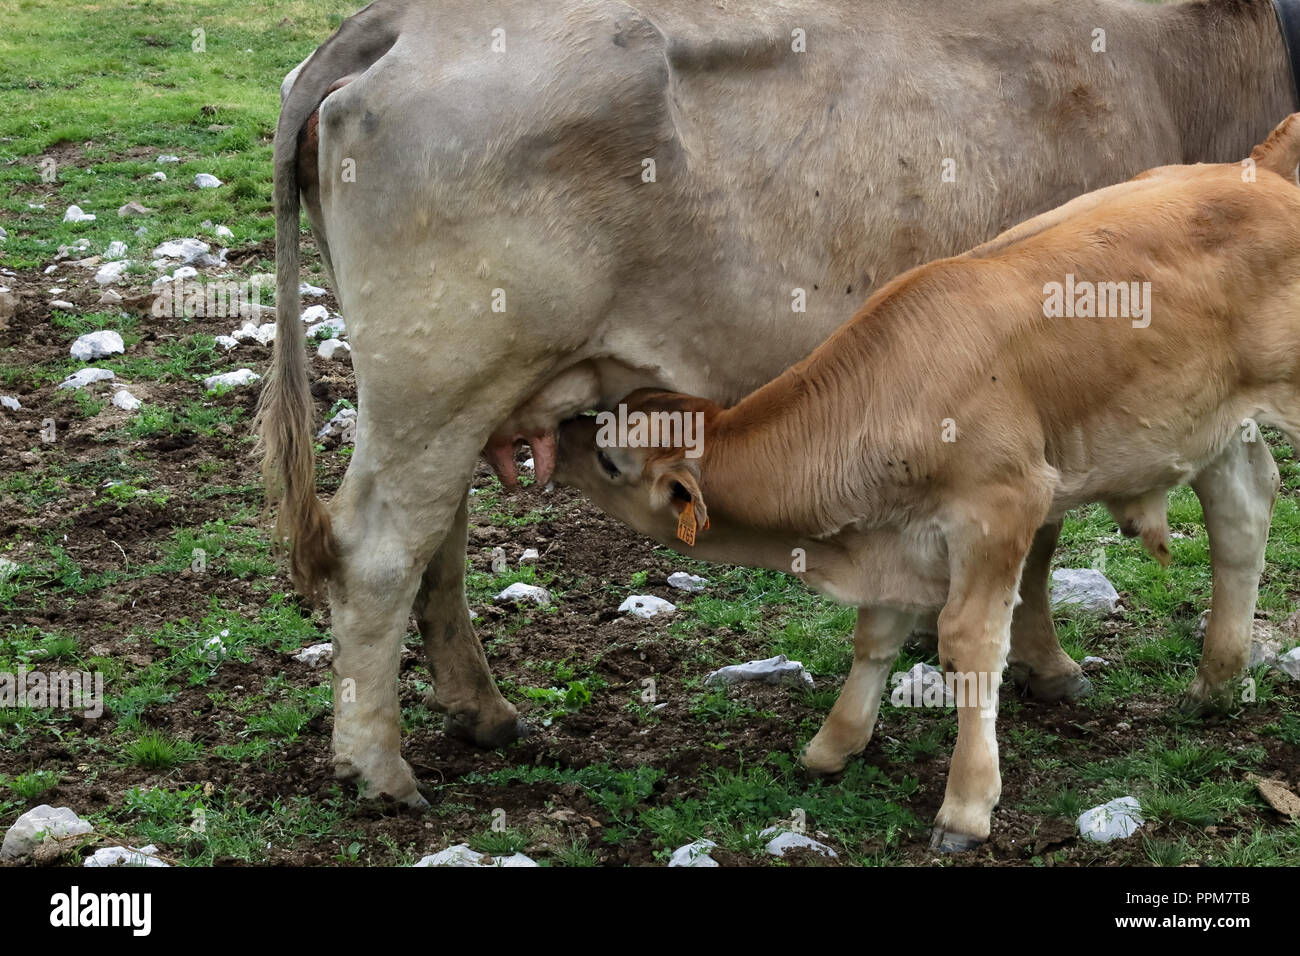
x=1237 y=494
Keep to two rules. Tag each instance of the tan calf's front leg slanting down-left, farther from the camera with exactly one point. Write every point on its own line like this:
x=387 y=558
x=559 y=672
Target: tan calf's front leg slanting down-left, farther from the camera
x=877 y=638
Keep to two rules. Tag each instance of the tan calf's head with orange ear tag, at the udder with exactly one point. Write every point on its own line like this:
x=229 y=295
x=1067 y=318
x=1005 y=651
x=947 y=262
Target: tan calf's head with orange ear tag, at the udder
x=643 y=462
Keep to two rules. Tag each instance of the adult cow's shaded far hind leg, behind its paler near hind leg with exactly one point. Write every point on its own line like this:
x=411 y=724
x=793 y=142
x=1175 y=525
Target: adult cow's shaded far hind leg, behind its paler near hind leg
x=463 y=687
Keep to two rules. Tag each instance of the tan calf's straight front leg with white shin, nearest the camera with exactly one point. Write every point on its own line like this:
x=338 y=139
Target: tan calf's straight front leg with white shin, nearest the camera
x=974 y=639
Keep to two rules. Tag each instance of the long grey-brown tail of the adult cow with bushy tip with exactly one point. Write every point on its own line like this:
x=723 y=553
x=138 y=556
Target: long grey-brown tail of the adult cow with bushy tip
x=285 y=422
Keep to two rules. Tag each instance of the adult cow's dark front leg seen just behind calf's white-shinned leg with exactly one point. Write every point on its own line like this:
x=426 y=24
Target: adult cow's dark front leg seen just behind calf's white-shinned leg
x=1037 y=660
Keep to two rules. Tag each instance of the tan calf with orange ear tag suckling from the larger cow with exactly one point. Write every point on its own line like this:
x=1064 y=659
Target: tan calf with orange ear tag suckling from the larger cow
x=909 y=464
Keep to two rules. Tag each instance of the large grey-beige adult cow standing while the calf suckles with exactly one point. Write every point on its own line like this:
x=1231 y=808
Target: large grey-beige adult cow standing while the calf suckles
x=528 y=210
